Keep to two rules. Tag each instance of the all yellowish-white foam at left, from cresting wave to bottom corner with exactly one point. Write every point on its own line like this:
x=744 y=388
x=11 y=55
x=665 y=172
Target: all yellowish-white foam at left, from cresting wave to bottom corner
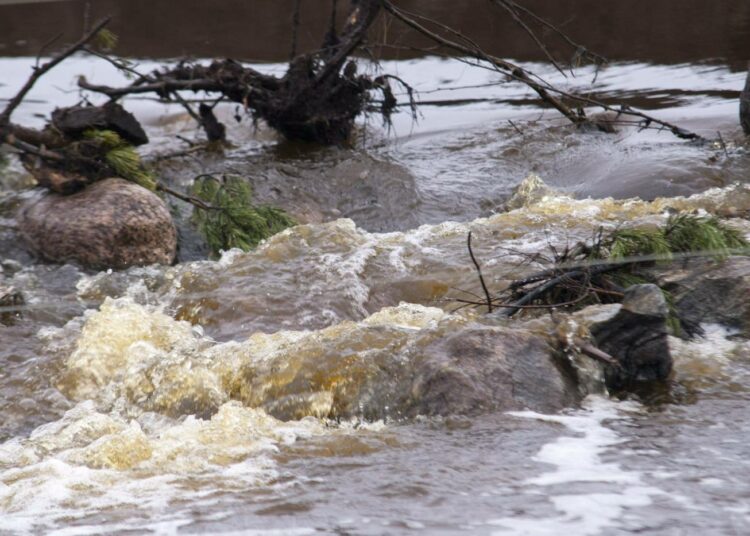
x=114 y=452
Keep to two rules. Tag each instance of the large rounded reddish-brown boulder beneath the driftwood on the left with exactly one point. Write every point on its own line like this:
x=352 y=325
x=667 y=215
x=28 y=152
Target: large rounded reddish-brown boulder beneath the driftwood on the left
x=111 y=224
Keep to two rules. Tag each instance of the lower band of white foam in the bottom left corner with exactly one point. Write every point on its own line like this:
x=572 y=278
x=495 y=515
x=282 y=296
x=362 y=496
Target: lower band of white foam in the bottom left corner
x=89 y=463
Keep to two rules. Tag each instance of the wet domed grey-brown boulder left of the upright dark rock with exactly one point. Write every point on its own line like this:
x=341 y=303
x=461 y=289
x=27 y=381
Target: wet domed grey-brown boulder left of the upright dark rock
x=490 y=368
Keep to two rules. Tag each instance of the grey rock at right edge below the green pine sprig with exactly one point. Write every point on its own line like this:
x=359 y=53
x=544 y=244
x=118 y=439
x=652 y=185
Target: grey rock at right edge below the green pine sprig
x=709 y=291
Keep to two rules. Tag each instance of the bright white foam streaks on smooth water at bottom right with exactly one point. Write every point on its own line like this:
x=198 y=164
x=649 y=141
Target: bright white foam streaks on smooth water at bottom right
x=578 y=460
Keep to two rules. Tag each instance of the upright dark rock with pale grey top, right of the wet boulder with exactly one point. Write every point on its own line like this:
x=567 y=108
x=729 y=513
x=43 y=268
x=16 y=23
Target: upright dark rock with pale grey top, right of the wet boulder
x=637 y=337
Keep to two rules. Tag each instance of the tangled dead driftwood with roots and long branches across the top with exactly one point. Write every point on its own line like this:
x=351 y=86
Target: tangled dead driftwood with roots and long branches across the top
x=317 y=99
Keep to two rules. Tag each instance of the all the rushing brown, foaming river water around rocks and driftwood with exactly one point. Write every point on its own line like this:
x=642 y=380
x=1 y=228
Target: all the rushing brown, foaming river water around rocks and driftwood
x=140 y=401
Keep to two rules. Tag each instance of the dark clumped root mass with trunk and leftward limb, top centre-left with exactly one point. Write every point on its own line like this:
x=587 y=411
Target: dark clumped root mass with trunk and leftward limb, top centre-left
x=313 y=101
